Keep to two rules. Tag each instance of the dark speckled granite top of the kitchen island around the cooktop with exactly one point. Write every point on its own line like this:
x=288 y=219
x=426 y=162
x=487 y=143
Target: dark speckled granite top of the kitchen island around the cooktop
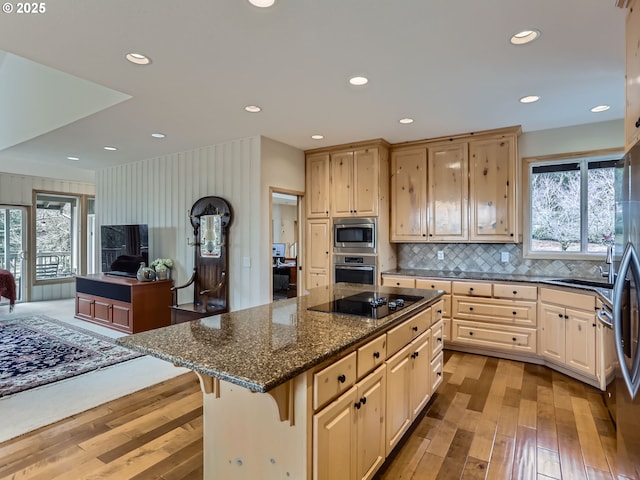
x=262 y=347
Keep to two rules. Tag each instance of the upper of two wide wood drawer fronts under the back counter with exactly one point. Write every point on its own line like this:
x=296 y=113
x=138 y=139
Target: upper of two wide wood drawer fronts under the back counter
x=495 y=310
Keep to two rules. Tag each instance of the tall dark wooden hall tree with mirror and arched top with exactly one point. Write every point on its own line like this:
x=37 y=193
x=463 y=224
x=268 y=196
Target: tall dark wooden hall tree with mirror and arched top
x=210 y=278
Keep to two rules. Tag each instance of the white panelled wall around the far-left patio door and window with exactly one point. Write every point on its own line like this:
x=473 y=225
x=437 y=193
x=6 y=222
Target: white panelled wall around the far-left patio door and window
x=17 y=190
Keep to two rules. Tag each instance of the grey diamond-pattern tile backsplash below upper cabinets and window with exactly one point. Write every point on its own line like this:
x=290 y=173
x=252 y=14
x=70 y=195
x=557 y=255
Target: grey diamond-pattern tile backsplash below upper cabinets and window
x=486 y=257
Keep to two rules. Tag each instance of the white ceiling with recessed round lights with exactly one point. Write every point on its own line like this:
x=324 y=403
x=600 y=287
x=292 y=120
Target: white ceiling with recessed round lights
x=449 y=65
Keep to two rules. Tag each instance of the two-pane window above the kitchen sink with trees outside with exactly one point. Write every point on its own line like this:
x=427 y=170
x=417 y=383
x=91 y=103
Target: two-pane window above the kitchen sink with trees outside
x=571 y=206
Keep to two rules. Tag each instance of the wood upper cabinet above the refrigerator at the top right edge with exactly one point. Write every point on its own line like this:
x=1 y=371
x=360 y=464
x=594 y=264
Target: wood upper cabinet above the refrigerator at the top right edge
x=632 y=112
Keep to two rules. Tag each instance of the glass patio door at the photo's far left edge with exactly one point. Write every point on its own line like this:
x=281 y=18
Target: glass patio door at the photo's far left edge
x=13 y=240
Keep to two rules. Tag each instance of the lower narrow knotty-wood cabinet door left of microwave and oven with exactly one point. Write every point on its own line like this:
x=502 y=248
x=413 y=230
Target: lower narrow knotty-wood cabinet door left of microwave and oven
x=318 y=243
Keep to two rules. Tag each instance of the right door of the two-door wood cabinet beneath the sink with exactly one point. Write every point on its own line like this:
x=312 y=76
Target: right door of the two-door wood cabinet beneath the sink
x=581 y=341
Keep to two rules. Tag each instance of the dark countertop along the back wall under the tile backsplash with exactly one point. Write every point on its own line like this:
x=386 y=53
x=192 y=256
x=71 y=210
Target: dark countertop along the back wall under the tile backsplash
x=604 y=293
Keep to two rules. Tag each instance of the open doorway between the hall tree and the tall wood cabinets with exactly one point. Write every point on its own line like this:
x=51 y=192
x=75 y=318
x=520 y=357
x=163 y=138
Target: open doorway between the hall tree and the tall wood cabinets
x=285 y=244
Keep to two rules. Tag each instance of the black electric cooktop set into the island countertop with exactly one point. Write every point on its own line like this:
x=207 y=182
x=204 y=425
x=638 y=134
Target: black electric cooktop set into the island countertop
x=368 y=304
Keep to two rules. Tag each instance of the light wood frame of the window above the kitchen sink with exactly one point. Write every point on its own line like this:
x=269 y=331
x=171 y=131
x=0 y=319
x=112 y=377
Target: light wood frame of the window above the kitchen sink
x=527 y=163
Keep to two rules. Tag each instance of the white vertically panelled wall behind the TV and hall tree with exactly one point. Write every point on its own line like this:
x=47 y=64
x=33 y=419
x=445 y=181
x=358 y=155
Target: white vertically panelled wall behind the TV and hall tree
x=161 y=191
